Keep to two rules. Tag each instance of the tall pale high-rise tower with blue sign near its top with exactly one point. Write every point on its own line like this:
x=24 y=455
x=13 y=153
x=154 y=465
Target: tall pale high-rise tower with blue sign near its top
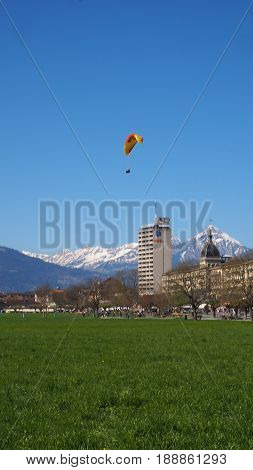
x=154 y=255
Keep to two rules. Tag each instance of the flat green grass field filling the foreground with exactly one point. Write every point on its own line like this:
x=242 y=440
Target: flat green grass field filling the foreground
x=69 y=383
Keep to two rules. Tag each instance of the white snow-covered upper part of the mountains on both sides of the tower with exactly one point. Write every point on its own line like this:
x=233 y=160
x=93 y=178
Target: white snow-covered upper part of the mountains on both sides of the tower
x=111 y=260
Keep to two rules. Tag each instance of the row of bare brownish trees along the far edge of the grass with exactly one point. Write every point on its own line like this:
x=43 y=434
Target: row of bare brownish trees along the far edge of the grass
x=191 y=286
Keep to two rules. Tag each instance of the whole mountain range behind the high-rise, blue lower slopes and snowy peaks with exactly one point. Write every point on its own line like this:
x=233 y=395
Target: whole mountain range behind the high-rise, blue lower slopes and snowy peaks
x=28 y=271
